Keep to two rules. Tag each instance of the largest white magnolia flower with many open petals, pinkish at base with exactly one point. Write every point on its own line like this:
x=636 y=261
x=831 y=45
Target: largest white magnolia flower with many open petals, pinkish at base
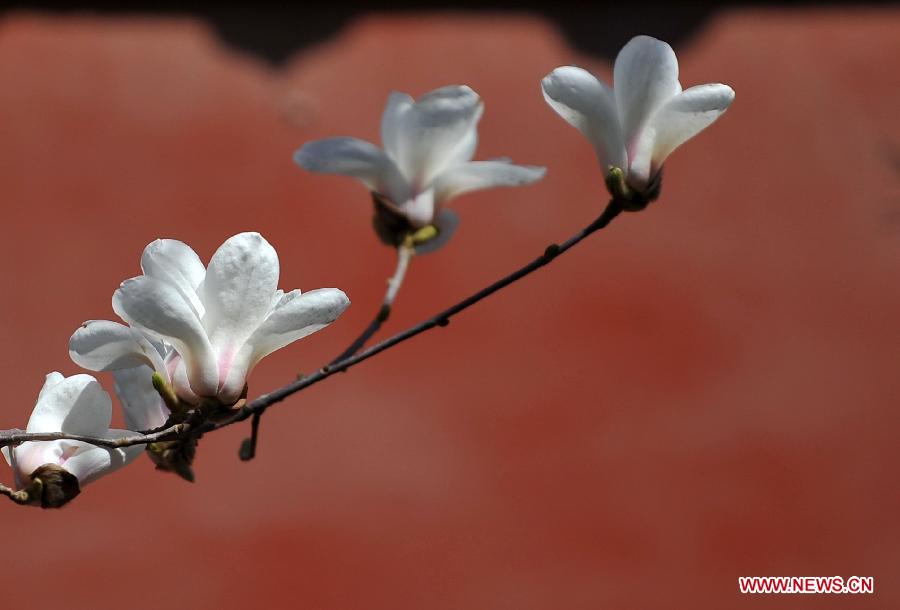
x=215 y=323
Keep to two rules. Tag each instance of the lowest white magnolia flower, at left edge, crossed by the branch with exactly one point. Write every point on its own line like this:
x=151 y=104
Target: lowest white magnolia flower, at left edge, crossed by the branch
x=75 y=405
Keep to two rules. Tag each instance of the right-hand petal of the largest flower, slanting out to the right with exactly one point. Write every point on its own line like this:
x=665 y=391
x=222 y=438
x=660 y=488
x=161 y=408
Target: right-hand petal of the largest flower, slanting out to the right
x=297 y=316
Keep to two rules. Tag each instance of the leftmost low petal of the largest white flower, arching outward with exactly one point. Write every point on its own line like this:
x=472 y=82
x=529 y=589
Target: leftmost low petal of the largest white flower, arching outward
x=101 y=345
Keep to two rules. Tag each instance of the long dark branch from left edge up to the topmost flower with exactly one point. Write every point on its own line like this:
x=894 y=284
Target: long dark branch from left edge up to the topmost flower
x=258 y=406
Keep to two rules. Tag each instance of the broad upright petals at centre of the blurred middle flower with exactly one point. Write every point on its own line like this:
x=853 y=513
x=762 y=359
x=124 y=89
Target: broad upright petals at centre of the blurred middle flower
x=439 y=130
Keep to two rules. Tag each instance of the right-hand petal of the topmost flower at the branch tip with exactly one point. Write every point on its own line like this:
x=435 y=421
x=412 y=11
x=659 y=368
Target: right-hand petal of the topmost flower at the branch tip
x=679 y=120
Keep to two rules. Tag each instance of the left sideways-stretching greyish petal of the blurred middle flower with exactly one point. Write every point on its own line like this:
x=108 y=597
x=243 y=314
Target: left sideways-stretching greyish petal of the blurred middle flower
x=357 y=158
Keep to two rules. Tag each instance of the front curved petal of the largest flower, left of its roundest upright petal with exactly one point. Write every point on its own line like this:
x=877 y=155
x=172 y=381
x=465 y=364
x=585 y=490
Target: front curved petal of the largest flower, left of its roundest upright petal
x=157 y=307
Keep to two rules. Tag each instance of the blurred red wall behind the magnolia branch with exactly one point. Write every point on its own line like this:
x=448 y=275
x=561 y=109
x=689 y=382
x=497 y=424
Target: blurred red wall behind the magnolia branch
x=707 y=389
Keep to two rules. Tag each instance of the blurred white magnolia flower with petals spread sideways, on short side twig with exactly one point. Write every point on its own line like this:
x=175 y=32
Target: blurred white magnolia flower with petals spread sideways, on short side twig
x=428 y=147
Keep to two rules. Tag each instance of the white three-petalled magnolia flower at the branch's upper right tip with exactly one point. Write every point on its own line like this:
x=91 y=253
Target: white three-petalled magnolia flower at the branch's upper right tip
x=648 y=116
